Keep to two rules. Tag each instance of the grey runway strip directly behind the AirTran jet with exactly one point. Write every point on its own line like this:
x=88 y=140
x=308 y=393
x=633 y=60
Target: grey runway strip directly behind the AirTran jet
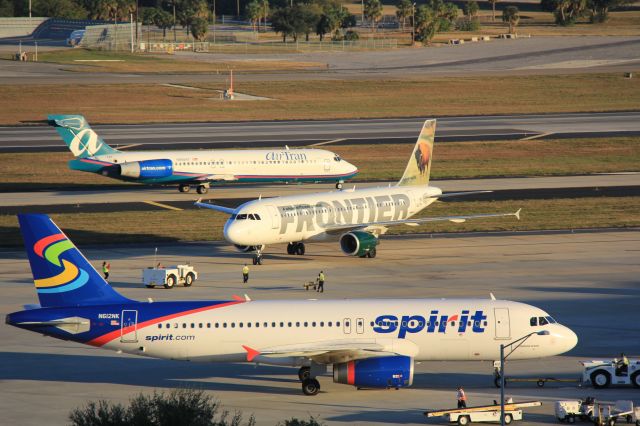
x=326 y=133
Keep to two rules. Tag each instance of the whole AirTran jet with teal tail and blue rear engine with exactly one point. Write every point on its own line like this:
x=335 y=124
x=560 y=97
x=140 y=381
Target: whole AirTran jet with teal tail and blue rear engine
x=197 y=167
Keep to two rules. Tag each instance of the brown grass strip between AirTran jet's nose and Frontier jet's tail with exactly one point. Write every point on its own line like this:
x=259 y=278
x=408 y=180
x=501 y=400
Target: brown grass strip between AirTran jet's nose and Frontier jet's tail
x=386 y=162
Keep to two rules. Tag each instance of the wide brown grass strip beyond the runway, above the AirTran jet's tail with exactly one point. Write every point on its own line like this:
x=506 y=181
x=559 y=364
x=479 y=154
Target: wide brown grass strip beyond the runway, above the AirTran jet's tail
x=326 y=99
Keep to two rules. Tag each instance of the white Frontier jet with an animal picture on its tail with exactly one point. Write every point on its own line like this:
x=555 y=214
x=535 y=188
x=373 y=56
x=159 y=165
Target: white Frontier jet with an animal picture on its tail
x=356 y=218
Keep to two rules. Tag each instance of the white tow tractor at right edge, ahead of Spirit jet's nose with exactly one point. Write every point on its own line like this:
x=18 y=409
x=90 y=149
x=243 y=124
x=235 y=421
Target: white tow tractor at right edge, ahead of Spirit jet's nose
x=602 y=374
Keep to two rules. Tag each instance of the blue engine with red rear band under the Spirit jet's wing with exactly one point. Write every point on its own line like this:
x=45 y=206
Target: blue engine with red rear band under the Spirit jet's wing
x=383 y=372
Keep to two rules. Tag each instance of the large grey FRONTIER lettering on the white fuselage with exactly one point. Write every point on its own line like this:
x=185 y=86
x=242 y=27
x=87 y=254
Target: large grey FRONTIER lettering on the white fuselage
x=307 y=217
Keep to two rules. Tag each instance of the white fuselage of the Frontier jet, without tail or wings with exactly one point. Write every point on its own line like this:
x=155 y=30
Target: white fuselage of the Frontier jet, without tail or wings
x=310 y=217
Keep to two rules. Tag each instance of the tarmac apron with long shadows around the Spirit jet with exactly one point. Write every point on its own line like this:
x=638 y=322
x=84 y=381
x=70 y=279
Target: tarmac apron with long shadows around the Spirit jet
x=588 y=281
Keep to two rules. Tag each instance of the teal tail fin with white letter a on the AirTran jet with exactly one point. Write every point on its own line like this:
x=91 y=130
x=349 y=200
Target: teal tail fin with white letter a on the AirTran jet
x=79 y=137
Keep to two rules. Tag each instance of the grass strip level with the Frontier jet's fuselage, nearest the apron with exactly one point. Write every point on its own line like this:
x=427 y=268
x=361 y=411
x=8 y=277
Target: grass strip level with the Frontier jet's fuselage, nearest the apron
x=171 y=226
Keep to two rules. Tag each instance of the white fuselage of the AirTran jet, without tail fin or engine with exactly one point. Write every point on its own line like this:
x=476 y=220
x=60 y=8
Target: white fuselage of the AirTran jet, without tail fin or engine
x=247 y=165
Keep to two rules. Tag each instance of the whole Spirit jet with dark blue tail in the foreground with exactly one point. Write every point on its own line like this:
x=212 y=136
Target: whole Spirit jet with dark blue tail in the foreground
x=369 y=343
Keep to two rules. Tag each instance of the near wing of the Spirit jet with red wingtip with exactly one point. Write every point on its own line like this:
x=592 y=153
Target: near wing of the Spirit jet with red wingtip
x=326 y=352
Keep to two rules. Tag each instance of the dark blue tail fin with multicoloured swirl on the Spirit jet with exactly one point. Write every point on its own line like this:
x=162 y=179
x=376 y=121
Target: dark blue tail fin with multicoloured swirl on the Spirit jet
x=62 y=275
